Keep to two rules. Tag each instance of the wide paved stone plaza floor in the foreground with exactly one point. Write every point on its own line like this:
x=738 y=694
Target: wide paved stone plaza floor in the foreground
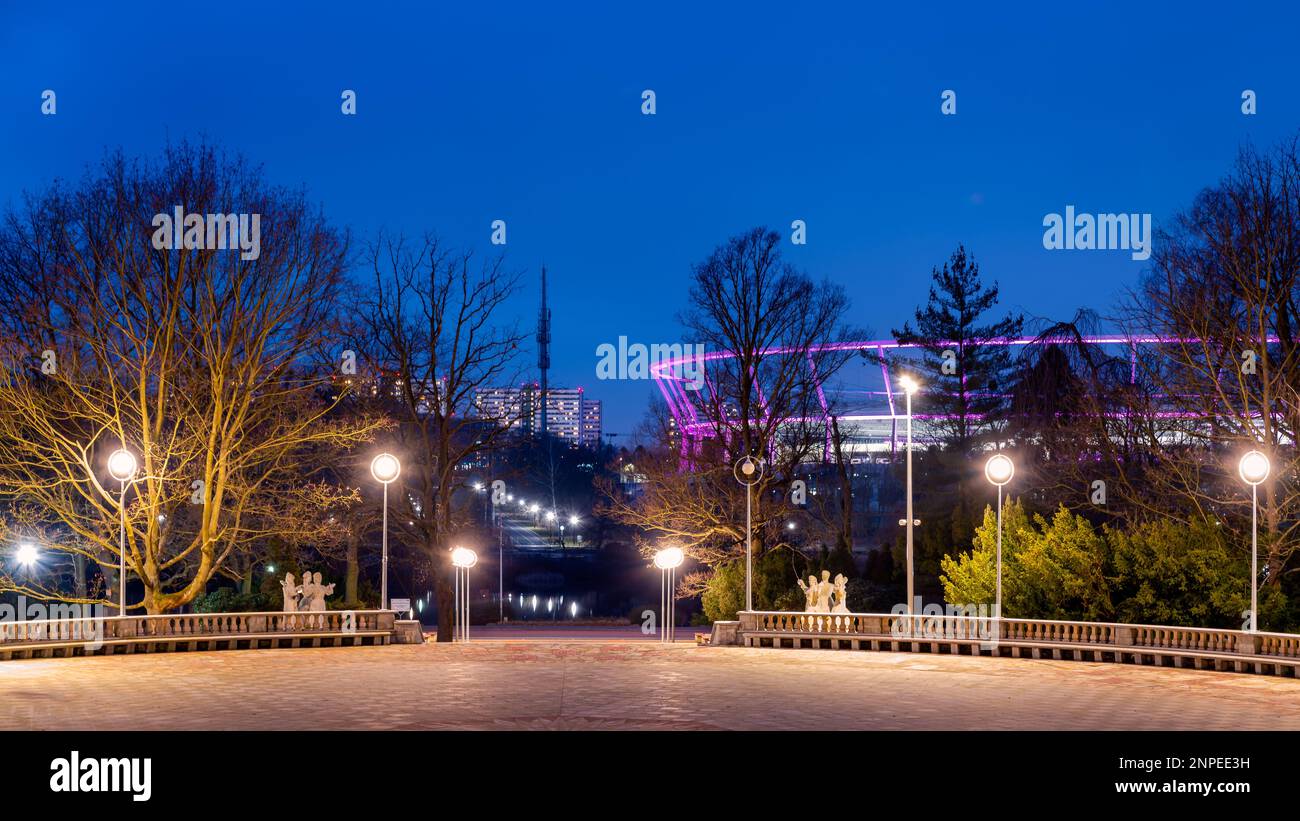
x=625 y=685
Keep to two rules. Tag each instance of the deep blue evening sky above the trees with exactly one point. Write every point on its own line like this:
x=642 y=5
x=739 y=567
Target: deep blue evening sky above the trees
x=766 y=114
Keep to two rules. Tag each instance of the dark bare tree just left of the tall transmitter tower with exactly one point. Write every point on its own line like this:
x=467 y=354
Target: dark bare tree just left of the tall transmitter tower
x=430 y=329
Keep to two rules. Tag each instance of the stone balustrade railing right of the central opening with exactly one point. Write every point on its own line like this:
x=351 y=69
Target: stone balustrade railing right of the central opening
x=986 y=636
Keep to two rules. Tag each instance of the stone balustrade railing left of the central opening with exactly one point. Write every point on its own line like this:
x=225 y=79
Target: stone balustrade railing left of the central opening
x=194 y=631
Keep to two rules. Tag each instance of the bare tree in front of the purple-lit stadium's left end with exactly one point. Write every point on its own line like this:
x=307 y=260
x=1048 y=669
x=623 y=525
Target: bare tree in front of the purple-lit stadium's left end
x=764 y=401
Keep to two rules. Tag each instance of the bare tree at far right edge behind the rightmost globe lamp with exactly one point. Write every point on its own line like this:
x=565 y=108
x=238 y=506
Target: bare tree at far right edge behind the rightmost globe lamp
x=1224 y=296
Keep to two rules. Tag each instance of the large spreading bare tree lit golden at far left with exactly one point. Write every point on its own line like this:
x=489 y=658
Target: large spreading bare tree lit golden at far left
x=193 y=358
